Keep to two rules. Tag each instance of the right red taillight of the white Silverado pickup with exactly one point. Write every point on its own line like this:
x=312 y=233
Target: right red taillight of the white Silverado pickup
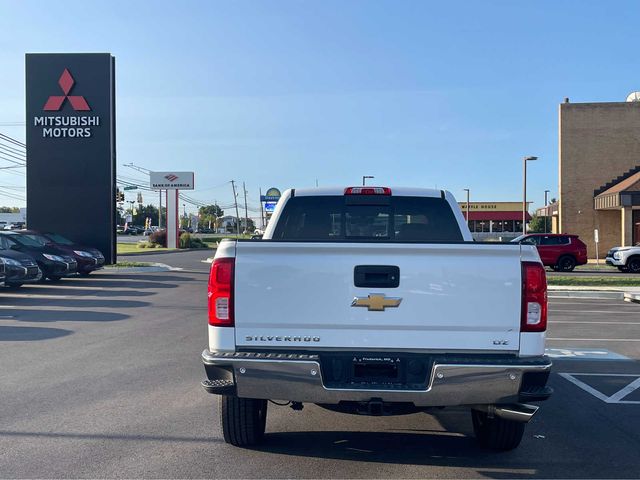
x=534 y=298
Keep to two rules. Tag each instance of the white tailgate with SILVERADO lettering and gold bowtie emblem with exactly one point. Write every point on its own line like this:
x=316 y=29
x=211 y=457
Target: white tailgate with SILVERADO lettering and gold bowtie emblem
x=454 y=297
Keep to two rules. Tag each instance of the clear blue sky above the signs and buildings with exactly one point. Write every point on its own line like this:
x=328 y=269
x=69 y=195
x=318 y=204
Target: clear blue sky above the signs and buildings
x=289 y=93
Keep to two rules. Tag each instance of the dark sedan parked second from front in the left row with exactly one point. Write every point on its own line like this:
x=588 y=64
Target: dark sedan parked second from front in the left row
x=54 y=263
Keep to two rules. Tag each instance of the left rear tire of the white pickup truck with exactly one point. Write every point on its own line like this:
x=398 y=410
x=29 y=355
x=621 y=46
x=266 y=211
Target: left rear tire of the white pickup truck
x=242 y=420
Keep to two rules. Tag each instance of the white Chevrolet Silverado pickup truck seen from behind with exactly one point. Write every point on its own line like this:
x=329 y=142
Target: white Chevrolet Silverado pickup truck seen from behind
x=376 y=301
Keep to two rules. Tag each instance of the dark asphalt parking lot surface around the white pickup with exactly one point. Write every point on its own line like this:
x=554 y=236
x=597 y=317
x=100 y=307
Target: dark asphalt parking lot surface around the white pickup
x=100 y=378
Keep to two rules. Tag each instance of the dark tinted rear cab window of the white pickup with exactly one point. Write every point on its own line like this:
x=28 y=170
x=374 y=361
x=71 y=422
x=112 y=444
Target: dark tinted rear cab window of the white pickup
x=368 y=218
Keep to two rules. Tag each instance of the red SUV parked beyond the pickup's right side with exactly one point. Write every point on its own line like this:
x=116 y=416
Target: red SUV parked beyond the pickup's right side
x=561 y=252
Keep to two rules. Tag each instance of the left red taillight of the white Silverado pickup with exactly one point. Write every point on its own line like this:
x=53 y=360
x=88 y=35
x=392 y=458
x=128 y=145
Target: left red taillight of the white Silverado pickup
x=220 y=292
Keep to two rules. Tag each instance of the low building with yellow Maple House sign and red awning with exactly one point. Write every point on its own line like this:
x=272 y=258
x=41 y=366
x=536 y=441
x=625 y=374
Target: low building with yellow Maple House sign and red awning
x=494 y=219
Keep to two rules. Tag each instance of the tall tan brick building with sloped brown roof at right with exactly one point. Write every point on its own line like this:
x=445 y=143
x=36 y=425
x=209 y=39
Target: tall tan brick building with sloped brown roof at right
x=599 y=173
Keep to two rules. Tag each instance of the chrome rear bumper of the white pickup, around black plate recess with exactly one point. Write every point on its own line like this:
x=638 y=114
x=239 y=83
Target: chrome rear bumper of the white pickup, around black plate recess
x=299 y=378
